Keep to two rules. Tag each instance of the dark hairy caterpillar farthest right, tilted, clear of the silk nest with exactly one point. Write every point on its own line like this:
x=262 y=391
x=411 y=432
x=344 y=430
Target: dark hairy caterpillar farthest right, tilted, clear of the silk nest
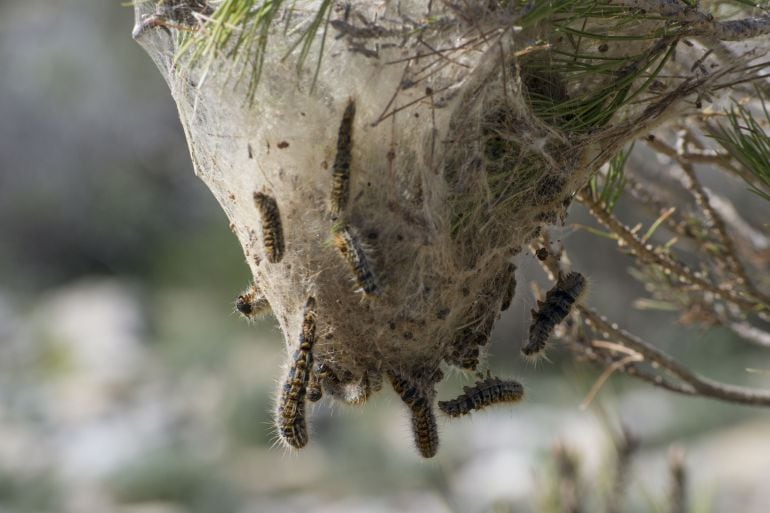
x=557 y=304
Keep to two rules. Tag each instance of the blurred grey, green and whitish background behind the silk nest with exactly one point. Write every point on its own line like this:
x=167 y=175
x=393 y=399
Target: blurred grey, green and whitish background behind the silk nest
x=127 y=383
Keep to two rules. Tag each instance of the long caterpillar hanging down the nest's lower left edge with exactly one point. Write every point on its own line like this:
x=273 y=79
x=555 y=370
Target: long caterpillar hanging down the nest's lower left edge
x=290 y=415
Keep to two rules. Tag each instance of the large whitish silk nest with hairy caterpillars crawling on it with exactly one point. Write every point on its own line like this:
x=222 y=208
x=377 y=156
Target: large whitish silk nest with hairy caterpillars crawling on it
x=382 y=193
